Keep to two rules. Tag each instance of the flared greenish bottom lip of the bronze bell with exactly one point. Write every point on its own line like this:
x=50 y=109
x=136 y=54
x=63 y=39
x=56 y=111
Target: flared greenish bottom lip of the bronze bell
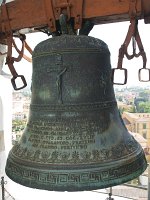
x=101 y=178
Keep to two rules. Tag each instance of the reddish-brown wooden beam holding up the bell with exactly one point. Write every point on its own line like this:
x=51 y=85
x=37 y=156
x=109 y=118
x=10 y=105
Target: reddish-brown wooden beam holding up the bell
x=31 y=13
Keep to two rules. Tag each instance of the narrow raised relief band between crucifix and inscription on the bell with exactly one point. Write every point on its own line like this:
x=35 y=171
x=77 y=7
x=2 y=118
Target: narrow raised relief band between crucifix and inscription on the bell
x=79 y=107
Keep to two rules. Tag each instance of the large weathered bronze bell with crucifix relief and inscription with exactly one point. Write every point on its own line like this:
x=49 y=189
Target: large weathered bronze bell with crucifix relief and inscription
x=75 y=139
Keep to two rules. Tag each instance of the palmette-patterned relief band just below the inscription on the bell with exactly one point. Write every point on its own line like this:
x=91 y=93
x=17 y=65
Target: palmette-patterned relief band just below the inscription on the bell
x=66 y=156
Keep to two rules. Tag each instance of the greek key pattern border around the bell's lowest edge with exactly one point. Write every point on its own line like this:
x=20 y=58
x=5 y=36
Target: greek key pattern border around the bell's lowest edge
x=61 y=180
